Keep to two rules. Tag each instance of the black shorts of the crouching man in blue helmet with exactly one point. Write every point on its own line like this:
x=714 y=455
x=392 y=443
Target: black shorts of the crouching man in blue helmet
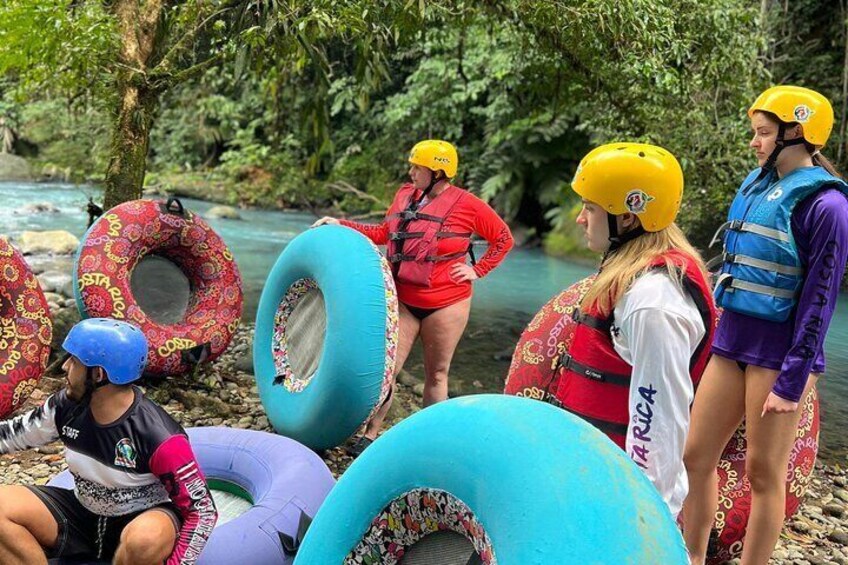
x=84 y=533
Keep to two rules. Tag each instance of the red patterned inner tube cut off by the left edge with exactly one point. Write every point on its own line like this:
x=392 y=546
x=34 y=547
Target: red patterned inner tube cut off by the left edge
x=25 y=330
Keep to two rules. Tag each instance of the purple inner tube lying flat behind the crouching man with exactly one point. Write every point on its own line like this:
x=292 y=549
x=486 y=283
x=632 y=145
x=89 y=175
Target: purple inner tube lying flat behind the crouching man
x=284 y=479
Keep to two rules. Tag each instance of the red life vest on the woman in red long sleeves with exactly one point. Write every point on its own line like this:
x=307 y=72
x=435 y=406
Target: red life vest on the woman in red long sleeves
x=414 y=235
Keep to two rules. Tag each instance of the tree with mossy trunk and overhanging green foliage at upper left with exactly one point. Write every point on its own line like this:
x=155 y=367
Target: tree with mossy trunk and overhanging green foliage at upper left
x=130 y=52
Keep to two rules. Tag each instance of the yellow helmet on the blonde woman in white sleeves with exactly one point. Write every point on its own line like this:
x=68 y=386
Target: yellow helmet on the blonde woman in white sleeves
x=643 y=179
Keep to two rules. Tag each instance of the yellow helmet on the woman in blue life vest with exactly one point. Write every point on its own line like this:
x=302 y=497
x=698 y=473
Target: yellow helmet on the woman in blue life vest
x=797 y=104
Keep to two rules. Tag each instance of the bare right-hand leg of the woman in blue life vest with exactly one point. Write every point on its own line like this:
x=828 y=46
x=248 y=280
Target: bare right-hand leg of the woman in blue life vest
x=770 y=440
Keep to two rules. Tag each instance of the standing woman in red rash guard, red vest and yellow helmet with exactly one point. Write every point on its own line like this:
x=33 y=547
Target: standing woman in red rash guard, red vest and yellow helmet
x=427 y=231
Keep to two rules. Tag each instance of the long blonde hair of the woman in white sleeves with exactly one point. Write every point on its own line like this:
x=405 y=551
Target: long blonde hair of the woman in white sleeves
x=632 y=260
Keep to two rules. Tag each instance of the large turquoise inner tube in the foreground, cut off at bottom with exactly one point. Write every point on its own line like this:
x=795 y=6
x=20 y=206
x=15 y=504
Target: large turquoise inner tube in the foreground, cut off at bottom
x=524 y=481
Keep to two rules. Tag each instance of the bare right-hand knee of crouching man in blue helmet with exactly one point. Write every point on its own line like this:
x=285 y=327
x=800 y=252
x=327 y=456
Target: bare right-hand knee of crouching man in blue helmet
x=147 y=540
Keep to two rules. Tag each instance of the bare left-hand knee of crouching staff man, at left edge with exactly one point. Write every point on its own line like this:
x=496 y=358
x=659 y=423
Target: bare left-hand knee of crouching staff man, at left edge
x=26 y=525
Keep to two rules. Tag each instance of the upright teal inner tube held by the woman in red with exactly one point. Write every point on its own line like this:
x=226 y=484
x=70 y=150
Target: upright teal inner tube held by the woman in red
x=326 y=336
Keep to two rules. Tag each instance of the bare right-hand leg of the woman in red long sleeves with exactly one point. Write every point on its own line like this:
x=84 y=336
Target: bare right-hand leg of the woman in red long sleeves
x=440 y=334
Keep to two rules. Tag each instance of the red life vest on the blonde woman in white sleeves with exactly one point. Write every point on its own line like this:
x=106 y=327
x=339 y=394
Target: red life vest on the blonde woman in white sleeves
x=593 y=381
